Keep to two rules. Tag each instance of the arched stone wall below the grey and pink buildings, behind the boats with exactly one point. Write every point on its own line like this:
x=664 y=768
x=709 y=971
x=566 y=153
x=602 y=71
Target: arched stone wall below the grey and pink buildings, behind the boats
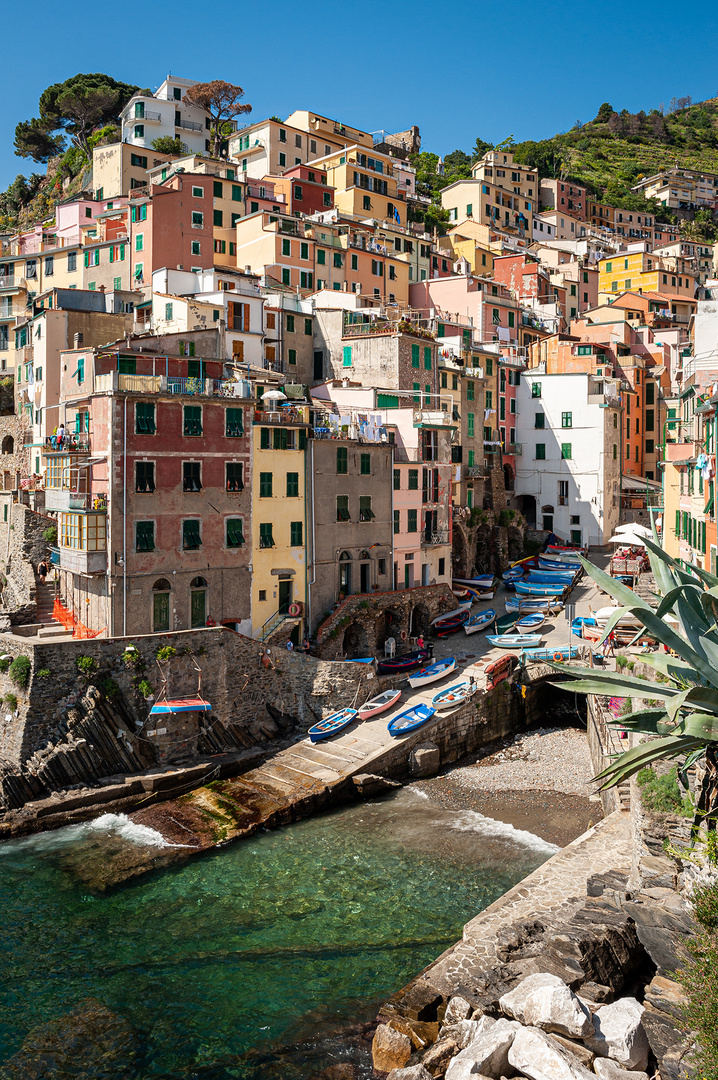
x=361 y=625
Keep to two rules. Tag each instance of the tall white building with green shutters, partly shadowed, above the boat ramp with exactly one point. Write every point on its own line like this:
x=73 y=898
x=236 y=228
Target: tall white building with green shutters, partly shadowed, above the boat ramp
x=568 y=475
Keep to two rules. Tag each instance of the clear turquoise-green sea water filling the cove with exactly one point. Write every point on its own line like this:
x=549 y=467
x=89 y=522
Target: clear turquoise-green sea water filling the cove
x=252 y=962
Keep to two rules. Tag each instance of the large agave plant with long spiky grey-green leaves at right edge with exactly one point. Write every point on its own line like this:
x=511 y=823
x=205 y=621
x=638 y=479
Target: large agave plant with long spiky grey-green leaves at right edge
x=685 y=722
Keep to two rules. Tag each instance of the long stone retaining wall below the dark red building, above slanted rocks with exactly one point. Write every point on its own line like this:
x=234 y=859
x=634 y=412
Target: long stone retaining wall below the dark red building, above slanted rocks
x=235 y=681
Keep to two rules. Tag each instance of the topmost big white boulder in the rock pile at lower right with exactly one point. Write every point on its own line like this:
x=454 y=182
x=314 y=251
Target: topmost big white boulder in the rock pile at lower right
x=546 y=1002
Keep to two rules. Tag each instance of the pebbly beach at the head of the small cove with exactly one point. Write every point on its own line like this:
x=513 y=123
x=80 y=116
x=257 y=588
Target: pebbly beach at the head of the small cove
x=539 y=781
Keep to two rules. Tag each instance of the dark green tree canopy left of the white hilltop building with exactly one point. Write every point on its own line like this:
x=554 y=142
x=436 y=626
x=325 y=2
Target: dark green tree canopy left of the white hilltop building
x=76 y=107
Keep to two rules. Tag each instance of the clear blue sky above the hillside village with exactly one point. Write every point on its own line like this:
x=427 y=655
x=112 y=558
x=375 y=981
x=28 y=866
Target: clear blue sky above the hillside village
x=457 y=70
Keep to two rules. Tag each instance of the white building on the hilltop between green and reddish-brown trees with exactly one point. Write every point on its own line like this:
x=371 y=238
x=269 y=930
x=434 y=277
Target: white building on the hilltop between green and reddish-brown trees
x=166 y=114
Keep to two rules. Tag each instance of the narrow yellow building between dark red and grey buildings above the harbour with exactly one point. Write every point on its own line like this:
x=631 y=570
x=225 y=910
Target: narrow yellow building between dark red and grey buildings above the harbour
x=279 y=519
